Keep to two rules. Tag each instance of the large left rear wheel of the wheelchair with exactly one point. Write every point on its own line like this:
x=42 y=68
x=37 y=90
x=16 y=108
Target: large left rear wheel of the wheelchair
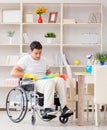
x=16 y=104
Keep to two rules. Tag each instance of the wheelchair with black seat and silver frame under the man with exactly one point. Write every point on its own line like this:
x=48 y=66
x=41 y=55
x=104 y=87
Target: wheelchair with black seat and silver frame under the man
x=23 y=98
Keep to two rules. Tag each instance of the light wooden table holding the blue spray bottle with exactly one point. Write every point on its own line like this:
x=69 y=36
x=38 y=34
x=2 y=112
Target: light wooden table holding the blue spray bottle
x=81 y=82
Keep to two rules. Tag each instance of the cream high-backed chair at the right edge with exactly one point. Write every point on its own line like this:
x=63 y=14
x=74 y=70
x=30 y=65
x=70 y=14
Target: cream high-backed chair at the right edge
x=100 y=90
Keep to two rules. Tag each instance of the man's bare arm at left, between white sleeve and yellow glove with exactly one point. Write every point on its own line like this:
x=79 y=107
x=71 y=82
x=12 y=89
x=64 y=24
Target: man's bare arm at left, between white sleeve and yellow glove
x=17 y=72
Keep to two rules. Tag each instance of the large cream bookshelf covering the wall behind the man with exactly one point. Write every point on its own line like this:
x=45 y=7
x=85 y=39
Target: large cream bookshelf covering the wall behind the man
x=74 y=23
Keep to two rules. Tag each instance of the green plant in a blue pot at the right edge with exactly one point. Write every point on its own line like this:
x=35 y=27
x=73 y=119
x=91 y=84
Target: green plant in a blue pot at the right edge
x=101 y=57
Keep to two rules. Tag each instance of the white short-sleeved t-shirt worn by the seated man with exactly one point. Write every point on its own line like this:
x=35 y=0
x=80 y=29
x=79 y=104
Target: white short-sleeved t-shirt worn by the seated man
x=36 y=67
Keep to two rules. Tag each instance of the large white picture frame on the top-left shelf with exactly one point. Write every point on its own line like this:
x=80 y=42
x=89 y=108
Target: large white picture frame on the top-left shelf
x=11 y=16
